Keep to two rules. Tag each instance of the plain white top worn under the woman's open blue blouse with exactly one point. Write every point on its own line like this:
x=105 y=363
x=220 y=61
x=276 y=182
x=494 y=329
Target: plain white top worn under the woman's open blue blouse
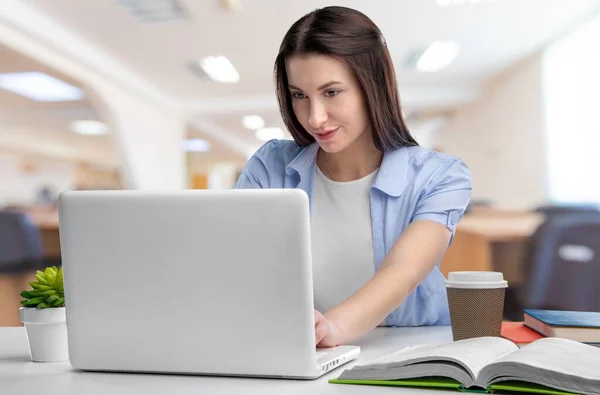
x=341 y=237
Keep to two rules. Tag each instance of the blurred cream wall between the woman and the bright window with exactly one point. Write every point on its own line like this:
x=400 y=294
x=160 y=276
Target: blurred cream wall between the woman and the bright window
x=501 y=138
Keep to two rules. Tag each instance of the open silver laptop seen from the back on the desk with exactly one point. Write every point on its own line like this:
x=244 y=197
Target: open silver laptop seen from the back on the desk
x=192 y=282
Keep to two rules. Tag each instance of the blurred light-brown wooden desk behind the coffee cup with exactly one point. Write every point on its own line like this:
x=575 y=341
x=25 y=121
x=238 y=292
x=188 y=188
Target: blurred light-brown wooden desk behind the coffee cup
x=492 y=241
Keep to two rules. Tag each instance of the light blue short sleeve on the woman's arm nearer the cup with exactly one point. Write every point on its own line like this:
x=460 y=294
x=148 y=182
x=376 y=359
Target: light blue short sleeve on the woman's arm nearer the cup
x=445 y=198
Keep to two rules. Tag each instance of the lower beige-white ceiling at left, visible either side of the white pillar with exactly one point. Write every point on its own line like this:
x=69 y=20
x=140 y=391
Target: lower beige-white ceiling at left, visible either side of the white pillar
x=44 y=128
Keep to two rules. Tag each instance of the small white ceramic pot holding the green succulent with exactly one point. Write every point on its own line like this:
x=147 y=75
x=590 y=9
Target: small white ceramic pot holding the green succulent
x=47 y=333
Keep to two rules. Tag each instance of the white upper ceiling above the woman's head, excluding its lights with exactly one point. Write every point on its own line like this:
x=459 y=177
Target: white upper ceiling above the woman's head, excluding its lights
x=493 y=36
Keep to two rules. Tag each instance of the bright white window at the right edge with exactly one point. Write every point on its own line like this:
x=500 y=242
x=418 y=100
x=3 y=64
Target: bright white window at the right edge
x=571 y=84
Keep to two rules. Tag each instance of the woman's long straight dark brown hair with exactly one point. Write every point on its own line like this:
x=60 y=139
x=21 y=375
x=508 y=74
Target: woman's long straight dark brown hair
x=351 y=37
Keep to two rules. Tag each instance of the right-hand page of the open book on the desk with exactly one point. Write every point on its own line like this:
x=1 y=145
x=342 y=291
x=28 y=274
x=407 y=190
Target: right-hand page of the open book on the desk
x=560 y=355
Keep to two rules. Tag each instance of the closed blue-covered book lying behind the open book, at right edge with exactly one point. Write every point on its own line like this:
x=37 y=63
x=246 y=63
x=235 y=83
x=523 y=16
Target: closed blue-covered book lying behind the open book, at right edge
x=582 y=326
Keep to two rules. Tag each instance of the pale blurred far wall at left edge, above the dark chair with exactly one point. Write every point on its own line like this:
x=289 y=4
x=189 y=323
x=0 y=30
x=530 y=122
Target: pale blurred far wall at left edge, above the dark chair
x=19 y=186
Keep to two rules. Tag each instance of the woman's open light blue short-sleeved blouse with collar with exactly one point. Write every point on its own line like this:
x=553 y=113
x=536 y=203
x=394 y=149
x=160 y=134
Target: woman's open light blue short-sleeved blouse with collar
x=412 y=184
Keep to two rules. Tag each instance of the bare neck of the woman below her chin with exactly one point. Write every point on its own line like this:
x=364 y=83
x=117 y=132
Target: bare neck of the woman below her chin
x=353 y=163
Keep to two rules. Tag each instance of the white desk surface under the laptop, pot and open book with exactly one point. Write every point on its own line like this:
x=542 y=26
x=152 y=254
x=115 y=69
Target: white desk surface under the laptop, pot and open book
x=20 y=376
